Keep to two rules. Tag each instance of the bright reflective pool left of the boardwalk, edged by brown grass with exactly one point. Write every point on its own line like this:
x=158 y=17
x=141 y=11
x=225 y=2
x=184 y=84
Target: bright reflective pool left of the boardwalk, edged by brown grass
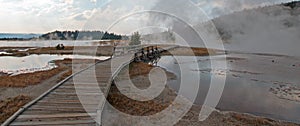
x=32 y=63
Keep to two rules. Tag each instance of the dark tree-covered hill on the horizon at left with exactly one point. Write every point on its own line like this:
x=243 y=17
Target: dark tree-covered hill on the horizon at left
x=81 y=35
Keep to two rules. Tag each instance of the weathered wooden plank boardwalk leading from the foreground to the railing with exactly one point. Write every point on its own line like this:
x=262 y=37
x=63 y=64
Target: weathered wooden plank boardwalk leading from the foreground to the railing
x=77 y=100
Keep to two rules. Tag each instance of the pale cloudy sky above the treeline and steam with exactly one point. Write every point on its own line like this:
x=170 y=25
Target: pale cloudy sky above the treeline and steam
x=40 y=16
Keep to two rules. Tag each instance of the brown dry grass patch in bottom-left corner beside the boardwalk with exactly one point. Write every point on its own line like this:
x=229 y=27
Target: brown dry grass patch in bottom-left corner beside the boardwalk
x=9 y=106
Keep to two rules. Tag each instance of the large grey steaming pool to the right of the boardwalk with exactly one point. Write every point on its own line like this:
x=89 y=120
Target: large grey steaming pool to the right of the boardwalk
x=249 y=79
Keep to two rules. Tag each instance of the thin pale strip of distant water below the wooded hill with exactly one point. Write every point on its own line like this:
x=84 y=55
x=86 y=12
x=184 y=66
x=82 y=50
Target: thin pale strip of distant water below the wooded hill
x=52 y=43
